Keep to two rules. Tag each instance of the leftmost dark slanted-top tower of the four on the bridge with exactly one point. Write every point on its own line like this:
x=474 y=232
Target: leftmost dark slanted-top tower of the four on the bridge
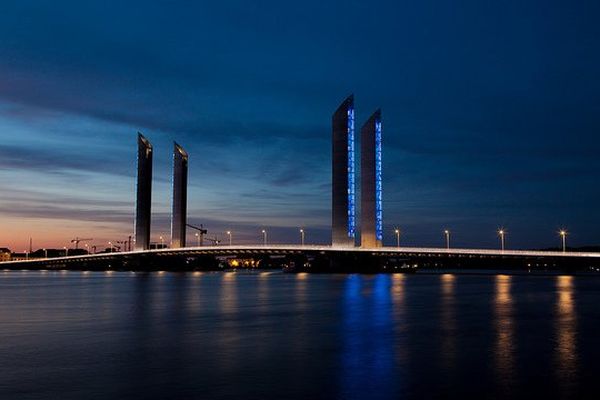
x=143 y=202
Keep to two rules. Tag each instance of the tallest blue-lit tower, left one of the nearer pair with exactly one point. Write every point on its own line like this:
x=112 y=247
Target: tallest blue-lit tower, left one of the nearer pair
x=343 y=185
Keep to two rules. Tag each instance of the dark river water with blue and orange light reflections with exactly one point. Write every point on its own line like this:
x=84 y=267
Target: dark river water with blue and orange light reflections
x=267 y=335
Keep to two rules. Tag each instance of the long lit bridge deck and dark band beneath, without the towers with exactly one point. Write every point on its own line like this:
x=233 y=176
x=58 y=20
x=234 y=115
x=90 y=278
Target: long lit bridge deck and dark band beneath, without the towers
x=318 y=258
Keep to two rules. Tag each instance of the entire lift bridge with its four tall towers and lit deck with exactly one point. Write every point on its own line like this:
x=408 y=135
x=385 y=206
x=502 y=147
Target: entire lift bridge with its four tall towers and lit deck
x=343 y=255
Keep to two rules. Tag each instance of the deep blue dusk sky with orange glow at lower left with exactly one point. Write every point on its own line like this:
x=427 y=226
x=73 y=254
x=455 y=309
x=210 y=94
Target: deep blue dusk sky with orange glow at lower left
x=491 y=116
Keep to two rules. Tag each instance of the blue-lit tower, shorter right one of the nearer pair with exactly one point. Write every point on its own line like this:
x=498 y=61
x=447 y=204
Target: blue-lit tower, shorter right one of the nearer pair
x=371 y=205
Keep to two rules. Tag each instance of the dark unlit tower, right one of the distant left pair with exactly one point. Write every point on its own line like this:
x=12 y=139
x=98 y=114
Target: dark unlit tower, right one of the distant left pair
x=179 y=211
